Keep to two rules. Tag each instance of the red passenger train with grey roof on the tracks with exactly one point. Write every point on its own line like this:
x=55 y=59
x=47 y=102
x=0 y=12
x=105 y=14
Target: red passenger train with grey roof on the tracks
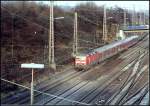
x=83 y=61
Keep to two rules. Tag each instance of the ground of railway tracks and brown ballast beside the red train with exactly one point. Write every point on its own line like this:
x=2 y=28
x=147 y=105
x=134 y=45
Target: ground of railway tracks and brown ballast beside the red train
x=106 y=83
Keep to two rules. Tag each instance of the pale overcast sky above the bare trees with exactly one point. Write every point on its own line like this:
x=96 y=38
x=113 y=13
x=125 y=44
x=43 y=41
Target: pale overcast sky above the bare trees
x=139 y=5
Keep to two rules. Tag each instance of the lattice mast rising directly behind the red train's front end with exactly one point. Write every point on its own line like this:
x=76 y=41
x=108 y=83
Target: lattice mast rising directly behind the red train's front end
x=75 y=36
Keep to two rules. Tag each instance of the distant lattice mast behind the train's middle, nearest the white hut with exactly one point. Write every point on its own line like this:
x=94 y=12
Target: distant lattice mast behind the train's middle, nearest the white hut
x=104 y=26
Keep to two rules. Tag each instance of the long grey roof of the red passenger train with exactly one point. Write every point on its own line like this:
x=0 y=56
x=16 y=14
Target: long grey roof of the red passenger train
x=106 y=47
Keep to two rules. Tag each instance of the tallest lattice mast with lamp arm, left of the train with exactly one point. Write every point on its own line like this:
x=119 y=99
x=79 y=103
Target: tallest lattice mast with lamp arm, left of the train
x=51 y=38
